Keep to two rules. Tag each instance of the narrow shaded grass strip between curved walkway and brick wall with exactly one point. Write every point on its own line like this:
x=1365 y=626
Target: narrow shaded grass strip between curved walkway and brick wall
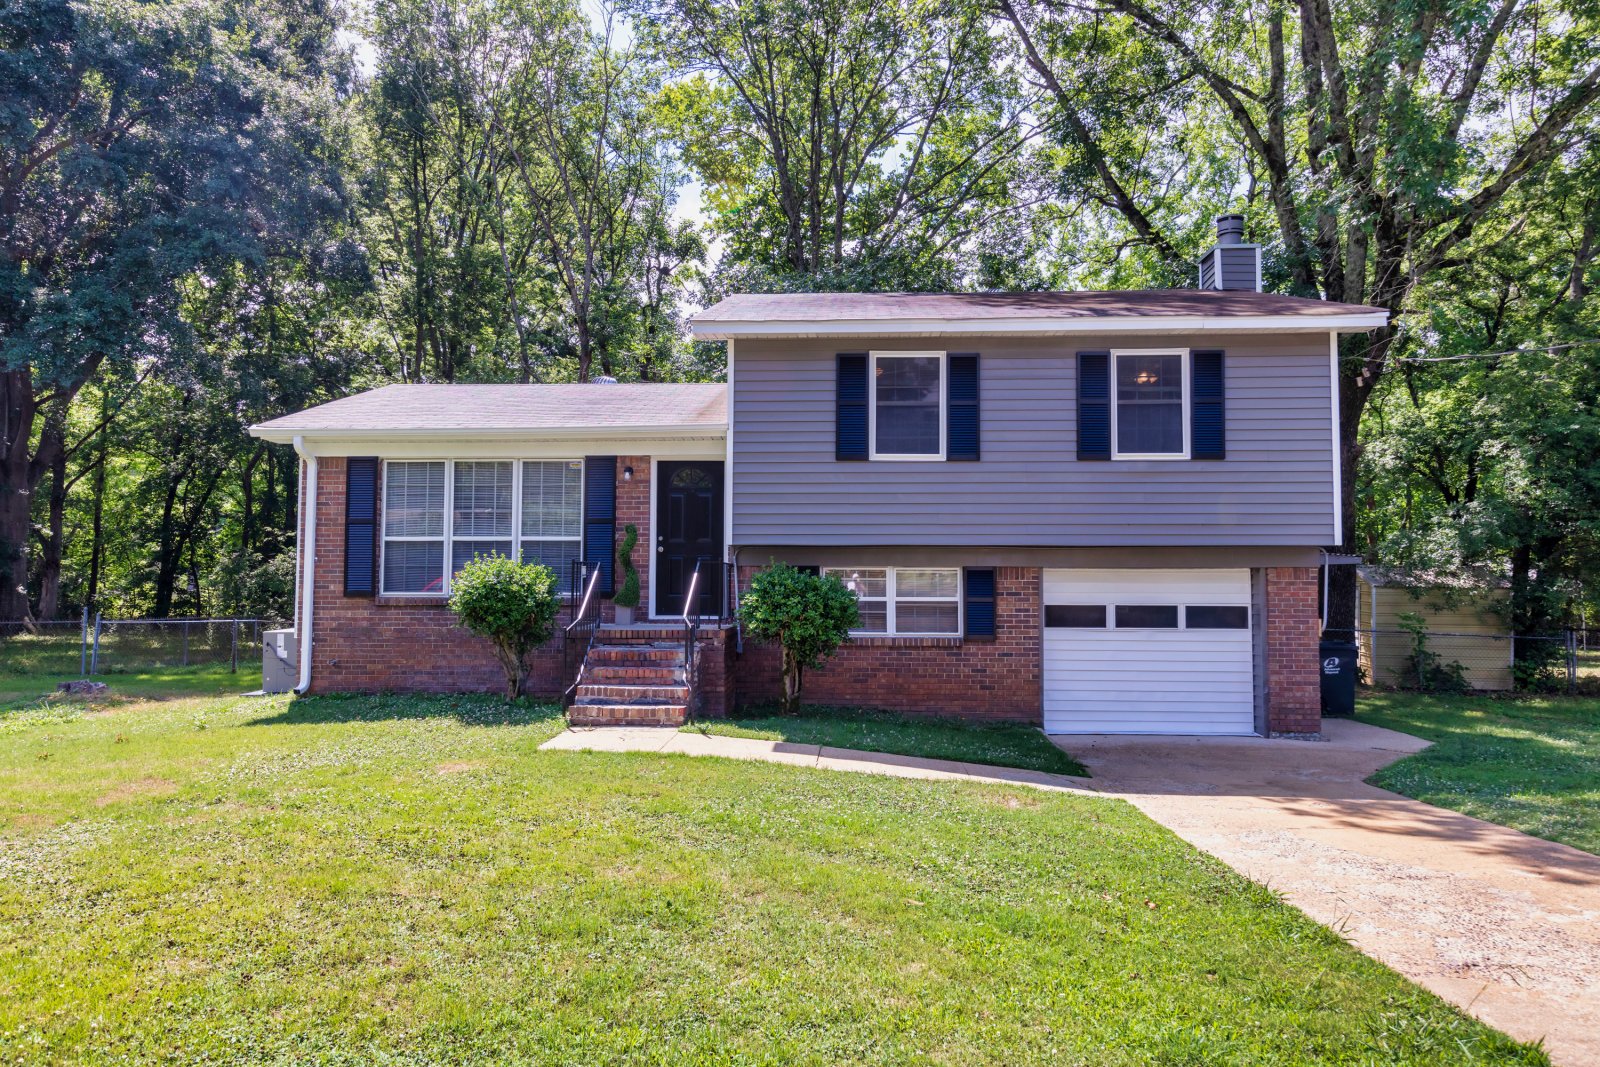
x=998 y=745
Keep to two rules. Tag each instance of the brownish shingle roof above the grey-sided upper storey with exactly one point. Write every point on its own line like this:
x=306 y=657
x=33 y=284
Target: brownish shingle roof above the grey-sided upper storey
x=1014 y=310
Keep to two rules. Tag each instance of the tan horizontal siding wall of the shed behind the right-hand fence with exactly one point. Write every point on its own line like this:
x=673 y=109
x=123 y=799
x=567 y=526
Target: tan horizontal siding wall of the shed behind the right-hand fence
x=1465 y=629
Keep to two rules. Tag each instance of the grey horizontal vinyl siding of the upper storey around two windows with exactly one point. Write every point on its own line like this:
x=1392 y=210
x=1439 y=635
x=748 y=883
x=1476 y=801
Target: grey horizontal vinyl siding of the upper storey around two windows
x=1030 y=489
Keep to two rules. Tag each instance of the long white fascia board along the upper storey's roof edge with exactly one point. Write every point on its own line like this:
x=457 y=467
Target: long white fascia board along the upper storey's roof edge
x=1036 y=327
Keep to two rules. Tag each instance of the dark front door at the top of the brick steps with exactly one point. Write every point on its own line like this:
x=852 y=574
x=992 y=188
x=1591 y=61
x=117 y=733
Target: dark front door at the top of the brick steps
x=689 y=529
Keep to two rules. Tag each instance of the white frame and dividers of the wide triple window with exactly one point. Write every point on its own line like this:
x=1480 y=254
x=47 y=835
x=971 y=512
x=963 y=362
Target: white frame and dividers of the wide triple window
x=438 y=526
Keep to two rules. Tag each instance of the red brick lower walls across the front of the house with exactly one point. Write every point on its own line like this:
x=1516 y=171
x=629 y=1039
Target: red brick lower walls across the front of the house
x=412 y=644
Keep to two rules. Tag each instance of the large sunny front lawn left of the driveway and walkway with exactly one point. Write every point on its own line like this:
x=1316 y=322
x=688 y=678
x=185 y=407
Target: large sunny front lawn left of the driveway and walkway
x=410 y=881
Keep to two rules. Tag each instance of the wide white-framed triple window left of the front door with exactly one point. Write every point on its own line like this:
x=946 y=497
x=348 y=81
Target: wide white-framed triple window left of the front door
x=441 y=514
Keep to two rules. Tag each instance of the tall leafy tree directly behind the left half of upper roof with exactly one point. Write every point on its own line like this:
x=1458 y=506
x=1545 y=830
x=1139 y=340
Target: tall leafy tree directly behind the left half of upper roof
x=846 y=143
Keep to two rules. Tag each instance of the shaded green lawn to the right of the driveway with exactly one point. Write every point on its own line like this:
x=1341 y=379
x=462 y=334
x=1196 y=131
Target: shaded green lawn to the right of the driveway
x=1532 y=764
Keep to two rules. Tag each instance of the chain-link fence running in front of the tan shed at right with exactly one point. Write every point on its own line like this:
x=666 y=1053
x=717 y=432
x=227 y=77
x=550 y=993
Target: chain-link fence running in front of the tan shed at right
x=1476 y=663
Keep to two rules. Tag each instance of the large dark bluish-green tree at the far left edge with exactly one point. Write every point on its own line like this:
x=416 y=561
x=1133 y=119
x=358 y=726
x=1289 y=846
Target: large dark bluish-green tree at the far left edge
x=140 y=145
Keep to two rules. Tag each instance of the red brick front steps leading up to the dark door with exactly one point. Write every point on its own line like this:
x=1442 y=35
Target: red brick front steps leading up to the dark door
x=633 y=677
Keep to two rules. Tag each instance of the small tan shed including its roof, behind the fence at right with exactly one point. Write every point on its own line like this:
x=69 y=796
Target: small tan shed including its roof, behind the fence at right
x=1465 y=617
